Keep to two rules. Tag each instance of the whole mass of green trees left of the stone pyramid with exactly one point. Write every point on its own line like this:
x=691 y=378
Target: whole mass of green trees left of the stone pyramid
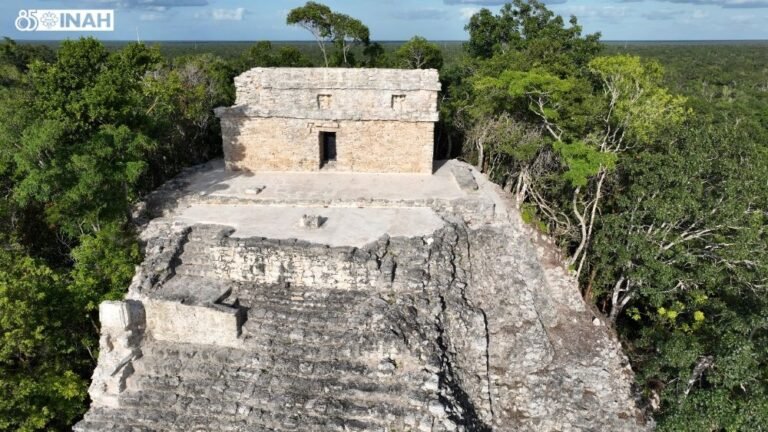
x=83 y=136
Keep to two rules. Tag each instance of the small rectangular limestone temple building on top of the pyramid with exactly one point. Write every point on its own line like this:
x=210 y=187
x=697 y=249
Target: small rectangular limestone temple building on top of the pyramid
x=383 y=119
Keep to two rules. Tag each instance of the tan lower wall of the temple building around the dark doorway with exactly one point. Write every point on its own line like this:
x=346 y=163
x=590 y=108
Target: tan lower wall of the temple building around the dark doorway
x=281 y=144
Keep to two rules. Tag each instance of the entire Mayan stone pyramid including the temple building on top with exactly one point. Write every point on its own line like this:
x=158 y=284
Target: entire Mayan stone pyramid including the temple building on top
x=328 y=275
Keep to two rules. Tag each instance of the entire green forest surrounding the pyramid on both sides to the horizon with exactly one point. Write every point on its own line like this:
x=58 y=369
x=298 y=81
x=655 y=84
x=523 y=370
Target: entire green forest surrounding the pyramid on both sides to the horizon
x=647 y=163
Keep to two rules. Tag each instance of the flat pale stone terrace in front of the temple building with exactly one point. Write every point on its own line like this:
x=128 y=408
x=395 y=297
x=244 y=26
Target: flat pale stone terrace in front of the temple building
x=355 y=208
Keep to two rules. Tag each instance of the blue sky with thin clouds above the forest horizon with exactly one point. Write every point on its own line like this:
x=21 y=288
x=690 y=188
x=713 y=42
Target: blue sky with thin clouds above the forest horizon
x=401 y=19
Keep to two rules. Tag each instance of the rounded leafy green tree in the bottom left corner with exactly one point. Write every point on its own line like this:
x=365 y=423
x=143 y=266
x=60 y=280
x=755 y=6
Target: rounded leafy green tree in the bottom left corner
x=41 y=360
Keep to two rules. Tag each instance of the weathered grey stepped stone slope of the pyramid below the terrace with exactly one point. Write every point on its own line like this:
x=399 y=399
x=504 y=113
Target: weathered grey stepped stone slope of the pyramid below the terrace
x=473 y=326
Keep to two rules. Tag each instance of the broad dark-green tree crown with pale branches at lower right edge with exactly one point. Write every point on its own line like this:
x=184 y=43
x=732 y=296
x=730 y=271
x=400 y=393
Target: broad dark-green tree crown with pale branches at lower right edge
x=682 y=258
